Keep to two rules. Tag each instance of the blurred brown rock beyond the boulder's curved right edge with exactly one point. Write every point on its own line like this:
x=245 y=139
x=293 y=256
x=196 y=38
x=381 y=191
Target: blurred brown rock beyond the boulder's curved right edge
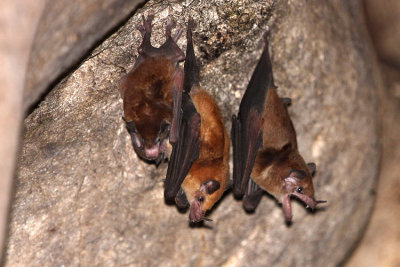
x=380 y=244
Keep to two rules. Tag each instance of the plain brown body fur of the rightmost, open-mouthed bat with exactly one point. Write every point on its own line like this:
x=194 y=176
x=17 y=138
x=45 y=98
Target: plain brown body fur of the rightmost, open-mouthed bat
x=273 y=164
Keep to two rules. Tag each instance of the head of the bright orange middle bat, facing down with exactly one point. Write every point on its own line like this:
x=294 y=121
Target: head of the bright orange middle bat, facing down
x=201 y=202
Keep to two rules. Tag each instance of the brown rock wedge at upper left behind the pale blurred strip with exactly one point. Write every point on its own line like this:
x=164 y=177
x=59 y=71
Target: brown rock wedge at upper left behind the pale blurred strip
x=68 y=29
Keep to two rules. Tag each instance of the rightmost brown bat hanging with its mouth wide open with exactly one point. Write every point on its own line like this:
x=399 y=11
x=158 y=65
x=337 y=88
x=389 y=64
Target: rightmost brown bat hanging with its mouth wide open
x=265 y=146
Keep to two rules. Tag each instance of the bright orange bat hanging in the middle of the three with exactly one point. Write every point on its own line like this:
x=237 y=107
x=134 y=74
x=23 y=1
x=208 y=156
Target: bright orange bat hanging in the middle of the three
x=197 y=173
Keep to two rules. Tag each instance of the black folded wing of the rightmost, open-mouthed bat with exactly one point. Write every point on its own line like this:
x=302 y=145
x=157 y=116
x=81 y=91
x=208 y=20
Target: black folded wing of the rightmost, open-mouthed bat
x=246 y=127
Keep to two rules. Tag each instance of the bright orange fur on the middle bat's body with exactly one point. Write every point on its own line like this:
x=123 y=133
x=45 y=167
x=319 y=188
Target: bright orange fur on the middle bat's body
x=213 y=152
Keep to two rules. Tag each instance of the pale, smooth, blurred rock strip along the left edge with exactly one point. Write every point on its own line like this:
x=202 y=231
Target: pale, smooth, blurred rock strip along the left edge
x=16 y=16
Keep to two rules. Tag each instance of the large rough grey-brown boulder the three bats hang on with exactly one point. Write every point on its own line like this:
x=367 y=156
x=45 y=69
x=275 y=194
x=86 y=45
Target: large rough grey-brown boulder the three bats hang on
x=84 y=198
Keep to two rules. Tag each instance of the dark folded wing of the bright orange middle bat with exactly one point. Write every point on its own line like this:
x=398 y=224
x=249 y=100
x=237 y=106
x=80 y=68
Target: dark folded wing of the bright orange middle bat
x=185 y=150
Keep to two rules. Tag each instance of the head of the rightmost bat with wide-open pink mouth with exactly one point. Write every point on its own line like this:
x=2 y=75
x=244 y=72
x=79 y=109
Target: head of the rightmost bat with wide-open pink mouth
x=298 y=183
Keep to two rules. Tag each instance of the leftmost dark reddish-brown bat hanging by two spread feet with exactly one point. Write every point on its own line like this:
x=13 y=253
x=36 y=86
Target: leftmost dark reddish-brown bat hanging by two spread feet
x=151 y=93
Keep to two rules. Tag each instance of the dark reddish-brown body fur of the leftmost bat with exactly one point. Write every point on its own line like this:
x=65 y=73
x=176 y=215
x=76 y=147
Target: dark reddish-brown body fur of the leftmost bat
x=147 y=95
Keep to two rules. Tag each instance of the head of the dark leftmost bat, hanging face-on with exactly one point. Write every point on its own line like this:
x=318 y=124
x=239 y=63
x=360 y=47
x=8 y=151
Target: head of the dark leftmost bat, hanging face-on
x=152 y=142
